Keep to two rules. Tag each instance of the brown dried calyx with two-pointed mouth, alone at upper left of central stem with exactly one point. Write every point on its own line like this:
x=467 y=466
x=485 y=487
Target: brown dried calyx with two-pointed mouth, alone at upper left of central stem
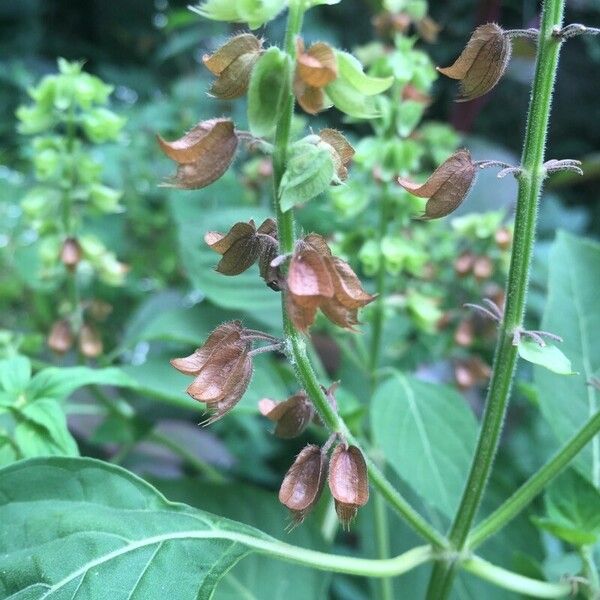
x=202 y=155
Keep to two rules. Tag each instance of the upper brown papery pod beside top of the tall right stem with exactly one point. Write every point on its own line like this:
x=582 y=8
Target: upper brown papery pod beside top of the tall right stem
x=482 y=63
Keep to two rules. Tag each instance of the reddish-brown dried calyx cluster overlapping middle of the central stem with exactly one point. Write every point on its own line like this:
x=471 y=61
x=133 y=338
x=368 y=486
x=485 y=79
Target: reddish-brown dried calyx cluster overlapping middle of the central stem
x=317 y=279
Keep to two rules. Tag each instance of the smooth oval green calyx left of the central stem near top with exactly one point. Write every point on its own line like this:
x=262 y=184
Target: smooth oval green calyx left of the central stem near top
x=269 y=83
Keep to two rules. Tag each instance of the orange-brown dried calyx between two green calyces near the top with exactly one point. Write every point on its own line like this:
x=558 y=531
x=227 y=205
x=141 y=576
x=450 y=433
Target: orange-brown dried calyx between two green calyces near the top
x=315 y=68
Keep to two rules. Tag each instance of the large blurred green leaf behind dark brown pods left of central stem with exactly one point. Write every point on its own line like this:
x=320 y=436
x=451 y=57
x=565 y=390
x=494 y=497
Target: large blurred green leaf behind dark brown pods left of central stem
x=245 y=293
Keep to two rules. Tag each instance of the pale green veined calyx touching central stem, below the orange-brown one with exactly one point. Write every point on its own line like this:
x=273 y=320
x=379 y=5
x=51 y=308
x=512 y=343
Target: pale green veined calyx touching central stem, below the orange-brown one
x=308 y=173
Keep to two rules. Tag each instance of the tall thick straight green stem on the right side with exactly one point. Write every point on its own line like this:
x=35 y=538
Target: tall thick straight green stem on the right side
x=530 y=186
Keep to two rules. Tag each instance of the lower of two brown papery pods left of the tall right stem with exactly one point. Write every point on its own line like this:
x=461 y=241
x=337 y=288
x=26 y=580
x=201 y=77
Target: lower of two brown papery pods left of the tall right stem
x=447 y=187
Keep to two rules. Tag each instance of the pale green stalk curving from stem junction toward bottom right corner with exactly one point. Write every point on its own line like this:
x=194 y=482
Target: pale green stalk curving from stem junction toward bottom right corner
x=515 y=582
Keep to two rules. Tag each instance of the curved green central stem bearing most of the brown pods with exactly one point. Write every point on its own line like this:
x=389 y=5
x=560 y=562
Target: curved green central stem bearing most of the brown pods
x=295 y=342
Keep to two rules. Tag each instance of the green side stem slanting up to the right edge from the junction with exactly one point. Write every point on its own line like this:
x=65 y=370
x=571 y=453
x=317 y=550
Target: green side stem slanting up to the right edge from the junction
x=534 y=485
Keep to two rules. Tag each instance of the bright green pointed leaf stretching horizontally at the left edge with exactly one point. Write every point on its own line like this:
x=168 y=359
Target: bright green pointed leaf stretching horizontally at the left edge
x=58 y=383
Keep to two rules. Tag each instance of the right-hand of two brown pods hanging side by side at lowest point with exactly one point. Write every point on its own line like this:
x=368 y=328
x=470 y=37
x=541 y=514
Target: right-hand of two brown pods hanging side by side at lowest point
x=348 y=481
